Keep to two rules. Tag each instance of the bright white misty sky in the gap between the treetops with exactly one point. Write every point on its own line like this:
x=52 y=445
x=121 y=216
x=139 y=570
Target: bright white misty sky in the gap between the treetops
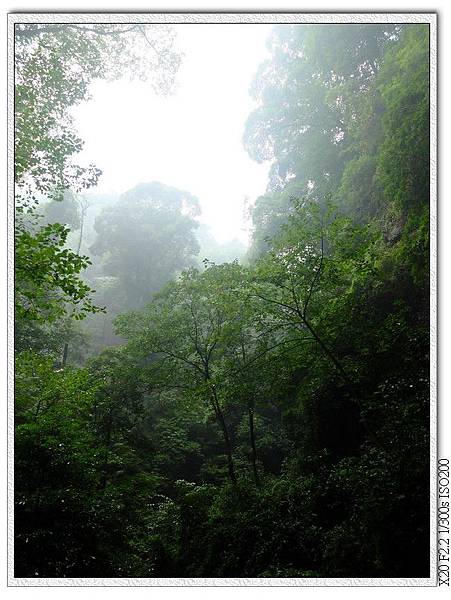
x=191 y=140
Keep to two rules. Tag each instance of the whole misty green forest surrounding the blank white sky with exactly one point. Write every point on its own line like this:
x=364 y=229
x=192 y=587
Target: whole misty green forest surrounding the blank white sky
x=186 y=408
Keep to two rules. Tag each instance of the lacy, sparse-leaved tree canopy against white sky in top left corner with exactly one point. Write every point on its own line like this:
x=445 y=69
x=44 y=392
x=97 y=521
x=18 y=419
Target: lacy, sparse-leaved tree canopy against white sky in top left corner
x=55 y=64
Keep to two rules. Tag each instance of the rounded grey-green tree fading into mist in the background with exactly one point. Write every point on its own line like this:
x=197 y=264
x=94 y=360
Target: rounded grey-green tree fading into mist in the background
x=146 y=238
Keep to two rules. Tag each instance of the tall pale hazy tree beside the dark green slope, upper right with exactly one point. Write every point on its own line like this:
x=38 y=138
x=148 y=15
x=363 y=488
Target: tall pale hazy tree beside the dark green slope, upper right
x=309 y=94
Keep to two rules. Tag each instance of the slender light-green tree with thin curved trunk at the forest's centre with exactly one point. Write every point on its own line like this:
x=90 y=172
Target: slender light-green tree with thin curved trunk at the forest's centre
x=188 y=325
